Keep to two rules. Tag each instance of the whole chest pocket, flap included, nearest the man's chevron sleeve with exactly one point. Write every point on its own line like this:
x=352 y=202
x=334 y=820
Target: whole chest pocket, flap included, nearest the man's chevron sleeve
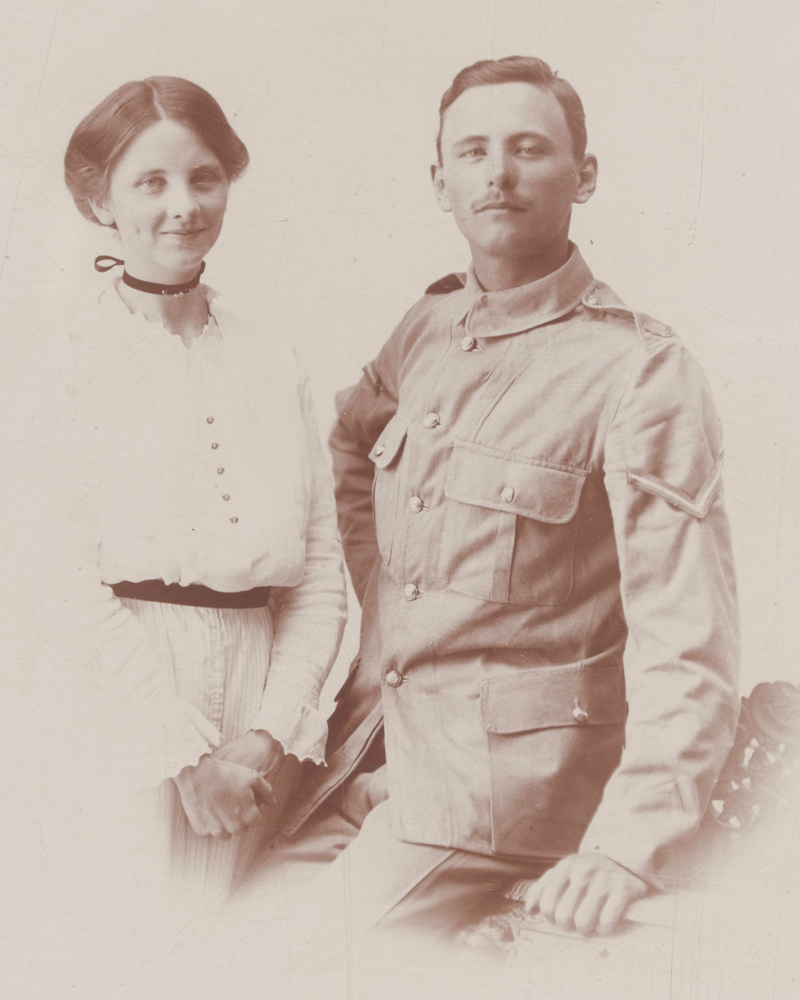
x=510 y=526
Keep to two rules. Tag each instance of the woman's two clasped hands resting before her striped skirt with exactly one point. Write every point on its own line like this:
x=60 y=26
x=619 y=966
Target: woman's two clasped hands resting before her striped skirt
x=224 y=792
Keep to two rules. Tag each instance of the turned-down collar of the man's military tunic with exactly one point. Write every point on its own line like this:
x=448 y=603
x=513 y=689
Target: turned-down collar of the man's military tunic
x=512 y=310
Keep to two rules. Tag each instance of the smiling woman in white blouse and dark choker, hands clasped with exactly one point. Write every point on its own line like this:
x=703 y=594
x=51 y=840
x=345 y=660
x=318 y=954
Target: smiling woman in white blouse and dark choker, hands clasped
x=193 y=598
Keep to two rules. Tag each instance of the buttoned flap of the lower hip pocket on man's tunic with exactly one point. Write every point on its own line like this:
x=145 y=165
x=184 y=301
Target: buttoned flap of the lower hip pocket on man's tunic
x=546 y=697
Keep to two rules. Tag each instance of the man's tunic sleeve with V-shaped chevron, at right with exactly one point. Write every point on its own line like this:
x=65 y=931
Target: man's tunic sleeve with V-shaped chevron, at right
x=662 y=473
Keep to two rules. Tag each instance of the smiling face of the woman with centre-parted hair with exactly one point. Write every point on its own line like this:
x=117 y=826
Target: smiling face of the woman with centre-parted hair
x=167 y=196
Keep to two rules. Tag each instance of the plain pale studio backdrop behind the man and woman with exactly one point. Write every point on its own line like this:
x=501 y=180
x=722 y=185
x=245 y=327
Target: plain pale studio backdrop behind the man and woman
x=333 y=232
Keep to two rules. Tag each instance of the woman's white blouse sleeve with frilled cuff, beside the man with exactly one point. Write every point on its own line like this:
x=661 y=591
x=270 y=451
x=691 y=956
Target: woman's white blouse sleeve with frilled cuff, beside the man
x=308 y=620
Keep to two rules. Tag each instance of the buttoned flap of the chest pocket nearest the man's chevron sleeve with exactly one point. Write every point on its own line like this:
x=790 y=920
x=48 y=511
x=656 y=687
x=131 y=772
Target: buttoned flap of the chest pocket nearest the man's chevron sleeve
x=502 y=481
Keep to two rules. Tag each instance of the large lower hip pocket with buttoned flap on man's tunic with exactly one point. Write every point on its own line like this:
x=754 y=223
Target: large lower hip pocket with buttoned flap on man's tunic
x=555 y=736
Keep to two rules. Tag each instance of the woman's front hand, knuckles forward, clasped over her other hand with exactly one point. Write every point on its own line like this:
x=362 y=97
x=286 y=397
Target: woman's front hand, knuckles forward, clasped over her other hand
x=221 y=798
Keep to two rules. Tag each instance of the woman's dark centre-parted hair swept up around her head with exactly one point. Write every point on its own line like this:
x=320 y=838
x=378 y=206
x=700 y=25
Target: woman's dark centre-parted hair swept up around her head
x=105 y=133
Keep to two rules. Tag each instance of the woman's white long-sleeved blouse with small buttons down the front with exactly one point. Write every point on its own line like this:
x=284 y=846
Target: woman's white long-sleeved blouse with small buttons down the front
x=141 y=459
